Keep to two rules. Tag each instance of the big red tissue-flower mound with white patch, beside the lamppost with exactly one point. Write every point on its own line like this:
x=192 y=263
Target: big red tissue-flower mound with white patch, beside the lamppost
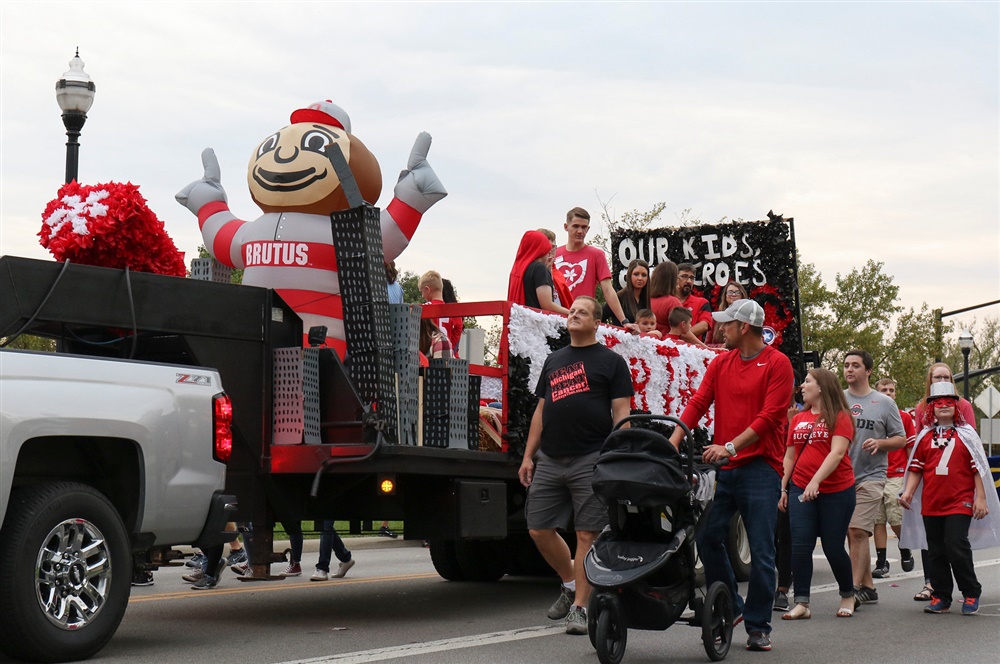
x=108 y=225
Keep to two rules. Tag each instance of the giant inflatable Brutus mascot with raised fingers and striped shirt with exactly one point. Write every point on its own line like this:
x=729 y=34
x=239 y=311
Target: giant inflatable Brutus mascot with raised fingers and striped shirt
x=290 y=247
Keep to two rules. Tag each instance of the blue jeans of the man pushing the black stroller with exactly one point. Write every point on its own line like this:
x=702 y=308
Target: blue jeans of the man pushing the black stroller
x=752 y=490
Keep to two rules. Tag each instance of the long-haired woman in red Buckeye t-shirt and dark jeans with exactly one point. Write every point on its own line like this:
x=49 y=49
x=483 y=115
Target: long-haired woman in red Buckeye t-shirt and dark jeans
x=818 y=489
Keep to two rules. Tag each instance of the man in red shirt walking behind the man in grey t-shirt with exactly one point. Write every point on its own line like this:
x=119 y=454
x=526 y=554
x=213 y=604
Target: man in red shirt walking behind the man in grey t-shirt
x=889 y=511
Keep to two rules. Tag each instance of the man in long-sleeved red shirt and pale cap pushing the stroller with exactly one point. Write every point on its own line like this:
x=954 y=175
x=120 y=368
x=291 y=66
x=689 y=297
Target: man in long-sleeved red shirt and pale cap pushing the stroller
x=751 y=387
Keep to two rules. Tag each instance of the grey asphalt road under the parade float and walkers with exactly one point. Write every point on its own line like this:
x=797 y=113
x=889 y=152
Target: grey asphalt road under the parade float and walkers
x=392 y=606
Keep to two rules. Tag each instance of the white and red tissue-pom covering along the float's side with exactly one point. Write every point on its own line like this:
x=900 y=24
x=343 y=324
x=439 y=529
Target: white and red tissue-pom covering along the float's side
x=665 y=375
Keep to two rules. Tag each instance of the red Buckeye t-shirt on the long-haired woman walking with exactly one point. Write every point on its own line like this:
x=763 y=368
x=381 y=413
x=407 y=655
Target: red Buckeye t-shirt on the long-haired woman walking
x=811 y=439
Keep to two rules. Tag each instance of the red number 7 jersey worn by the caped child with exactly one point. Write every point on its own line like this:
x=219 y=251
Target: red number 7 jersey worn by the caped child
x=948 y=472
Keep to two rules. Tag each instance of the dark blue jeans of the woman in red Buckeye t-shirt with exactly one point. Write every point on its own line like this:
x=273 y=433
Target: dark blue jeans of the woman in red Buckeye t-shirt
x=826 y=517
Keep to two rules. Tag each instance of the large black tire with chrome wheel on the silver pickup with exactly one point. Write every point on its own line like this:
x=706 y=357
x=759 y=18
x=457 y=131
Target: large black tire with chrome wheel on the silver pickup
x=52 y=534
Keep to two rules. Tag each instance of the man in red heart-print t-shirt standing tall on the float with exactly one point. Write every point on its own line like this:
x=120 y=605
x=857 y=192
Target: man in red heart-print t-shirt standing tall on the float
x=584 y=266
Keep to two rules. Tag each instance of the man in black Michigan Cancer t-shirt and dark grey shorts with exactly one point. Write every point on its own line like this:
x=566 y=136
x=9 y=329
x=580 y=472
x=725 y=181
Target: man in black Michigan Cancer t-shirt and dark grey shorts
x=582 y=391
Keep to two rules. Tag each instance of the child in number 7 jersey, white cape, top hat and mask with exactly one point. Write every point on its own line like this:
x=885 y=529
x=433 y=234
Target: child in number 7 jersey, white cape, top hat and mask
x=948 y=460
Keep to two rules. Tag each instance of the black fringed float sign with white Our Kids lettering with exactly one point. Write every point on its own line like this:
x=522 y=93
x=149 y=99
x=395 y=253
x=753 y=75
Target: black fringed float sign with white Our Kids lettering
x=760 y=255
